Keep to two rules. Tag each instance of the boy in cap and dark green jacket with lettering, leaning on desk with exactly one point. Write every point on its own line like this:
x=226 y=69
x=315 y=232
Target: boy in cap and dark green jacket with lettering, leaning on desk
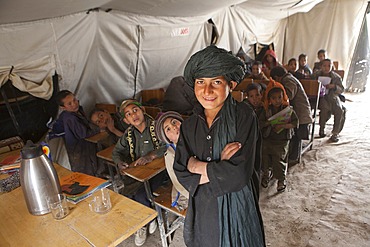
x=139 y=146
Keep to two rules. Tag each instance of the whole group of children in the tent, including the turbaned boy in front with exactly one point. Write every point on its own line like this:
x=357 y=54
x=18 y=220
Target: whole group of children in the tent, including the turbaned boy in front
x=209 y=159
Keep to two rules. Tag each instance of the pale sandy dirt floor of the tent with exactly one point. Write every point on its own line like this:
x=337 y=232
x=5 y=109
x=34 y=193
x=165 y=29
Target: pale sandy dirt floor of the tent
x=327 y=202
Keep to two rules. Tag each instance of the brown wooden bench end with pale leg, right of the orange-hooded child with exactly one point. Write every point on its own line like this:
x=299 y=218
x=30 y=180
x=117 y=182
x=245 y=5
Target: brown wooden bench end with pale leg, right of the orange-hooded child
x=312 y=89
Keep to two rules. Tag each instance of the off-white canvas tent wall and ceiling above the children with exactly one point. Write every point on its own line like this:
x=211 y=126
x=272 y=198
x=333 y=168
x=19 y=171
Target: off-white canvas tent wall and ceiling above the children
x=106 y=51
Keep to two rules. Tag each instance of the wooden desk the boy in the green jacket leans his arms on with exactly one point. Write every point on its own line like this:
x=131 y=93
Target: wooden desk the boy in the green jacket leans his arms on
x=140 y=173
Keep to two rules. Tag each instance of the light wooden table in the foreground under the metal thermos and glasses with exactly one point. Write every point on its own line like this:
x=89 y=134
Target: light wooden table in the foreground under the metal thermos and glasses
x=80 y=228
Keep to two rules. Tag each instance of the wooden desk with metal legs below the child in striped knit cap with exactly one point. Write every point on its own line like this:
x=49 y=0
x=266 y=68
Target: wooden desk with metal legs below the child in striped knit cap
x=163 y=206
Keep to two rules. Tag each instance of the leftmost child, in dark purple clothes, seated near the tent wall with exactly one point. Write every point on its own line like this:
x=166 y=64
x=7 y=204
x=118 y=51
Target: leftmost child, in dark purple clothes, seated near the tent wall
x=76 y=127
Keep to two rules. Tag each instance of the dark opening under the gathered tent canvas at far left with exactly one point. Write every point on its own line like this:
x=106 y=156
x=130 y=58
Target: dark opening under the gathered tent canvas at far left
x=30 y=113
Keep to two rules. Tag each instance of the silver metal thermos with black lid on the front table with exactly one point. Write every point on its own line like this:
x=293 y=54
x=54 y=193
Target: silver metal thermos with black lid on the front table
x=38 y=177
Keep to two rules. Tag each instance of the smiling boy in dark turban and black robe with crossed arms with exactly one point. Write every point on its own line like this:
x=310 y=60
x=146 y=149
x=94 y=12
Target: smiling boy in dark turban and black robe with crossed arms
x=216 y=156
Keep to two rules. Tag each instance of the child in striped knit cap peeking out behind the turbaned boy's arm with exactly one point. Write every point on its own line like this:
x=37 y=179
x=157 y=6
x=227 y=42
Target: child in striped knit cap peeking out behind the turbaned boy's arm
x=167 y=129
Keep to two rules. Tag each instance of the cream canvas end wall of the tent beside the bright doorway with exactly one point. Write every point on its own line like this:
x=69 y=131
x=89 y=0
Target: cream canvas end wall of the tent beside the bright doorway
x=333 y=25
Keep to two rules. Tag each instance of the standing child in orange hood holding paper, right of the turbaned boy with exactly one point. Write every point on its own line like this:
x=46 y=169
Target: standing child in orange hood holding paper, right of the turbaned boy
x=276 y=135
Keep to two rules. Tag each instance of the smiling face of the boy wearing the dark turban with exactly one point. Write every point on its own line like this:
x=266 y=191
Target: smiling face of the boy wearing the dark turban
x=212 y=92
